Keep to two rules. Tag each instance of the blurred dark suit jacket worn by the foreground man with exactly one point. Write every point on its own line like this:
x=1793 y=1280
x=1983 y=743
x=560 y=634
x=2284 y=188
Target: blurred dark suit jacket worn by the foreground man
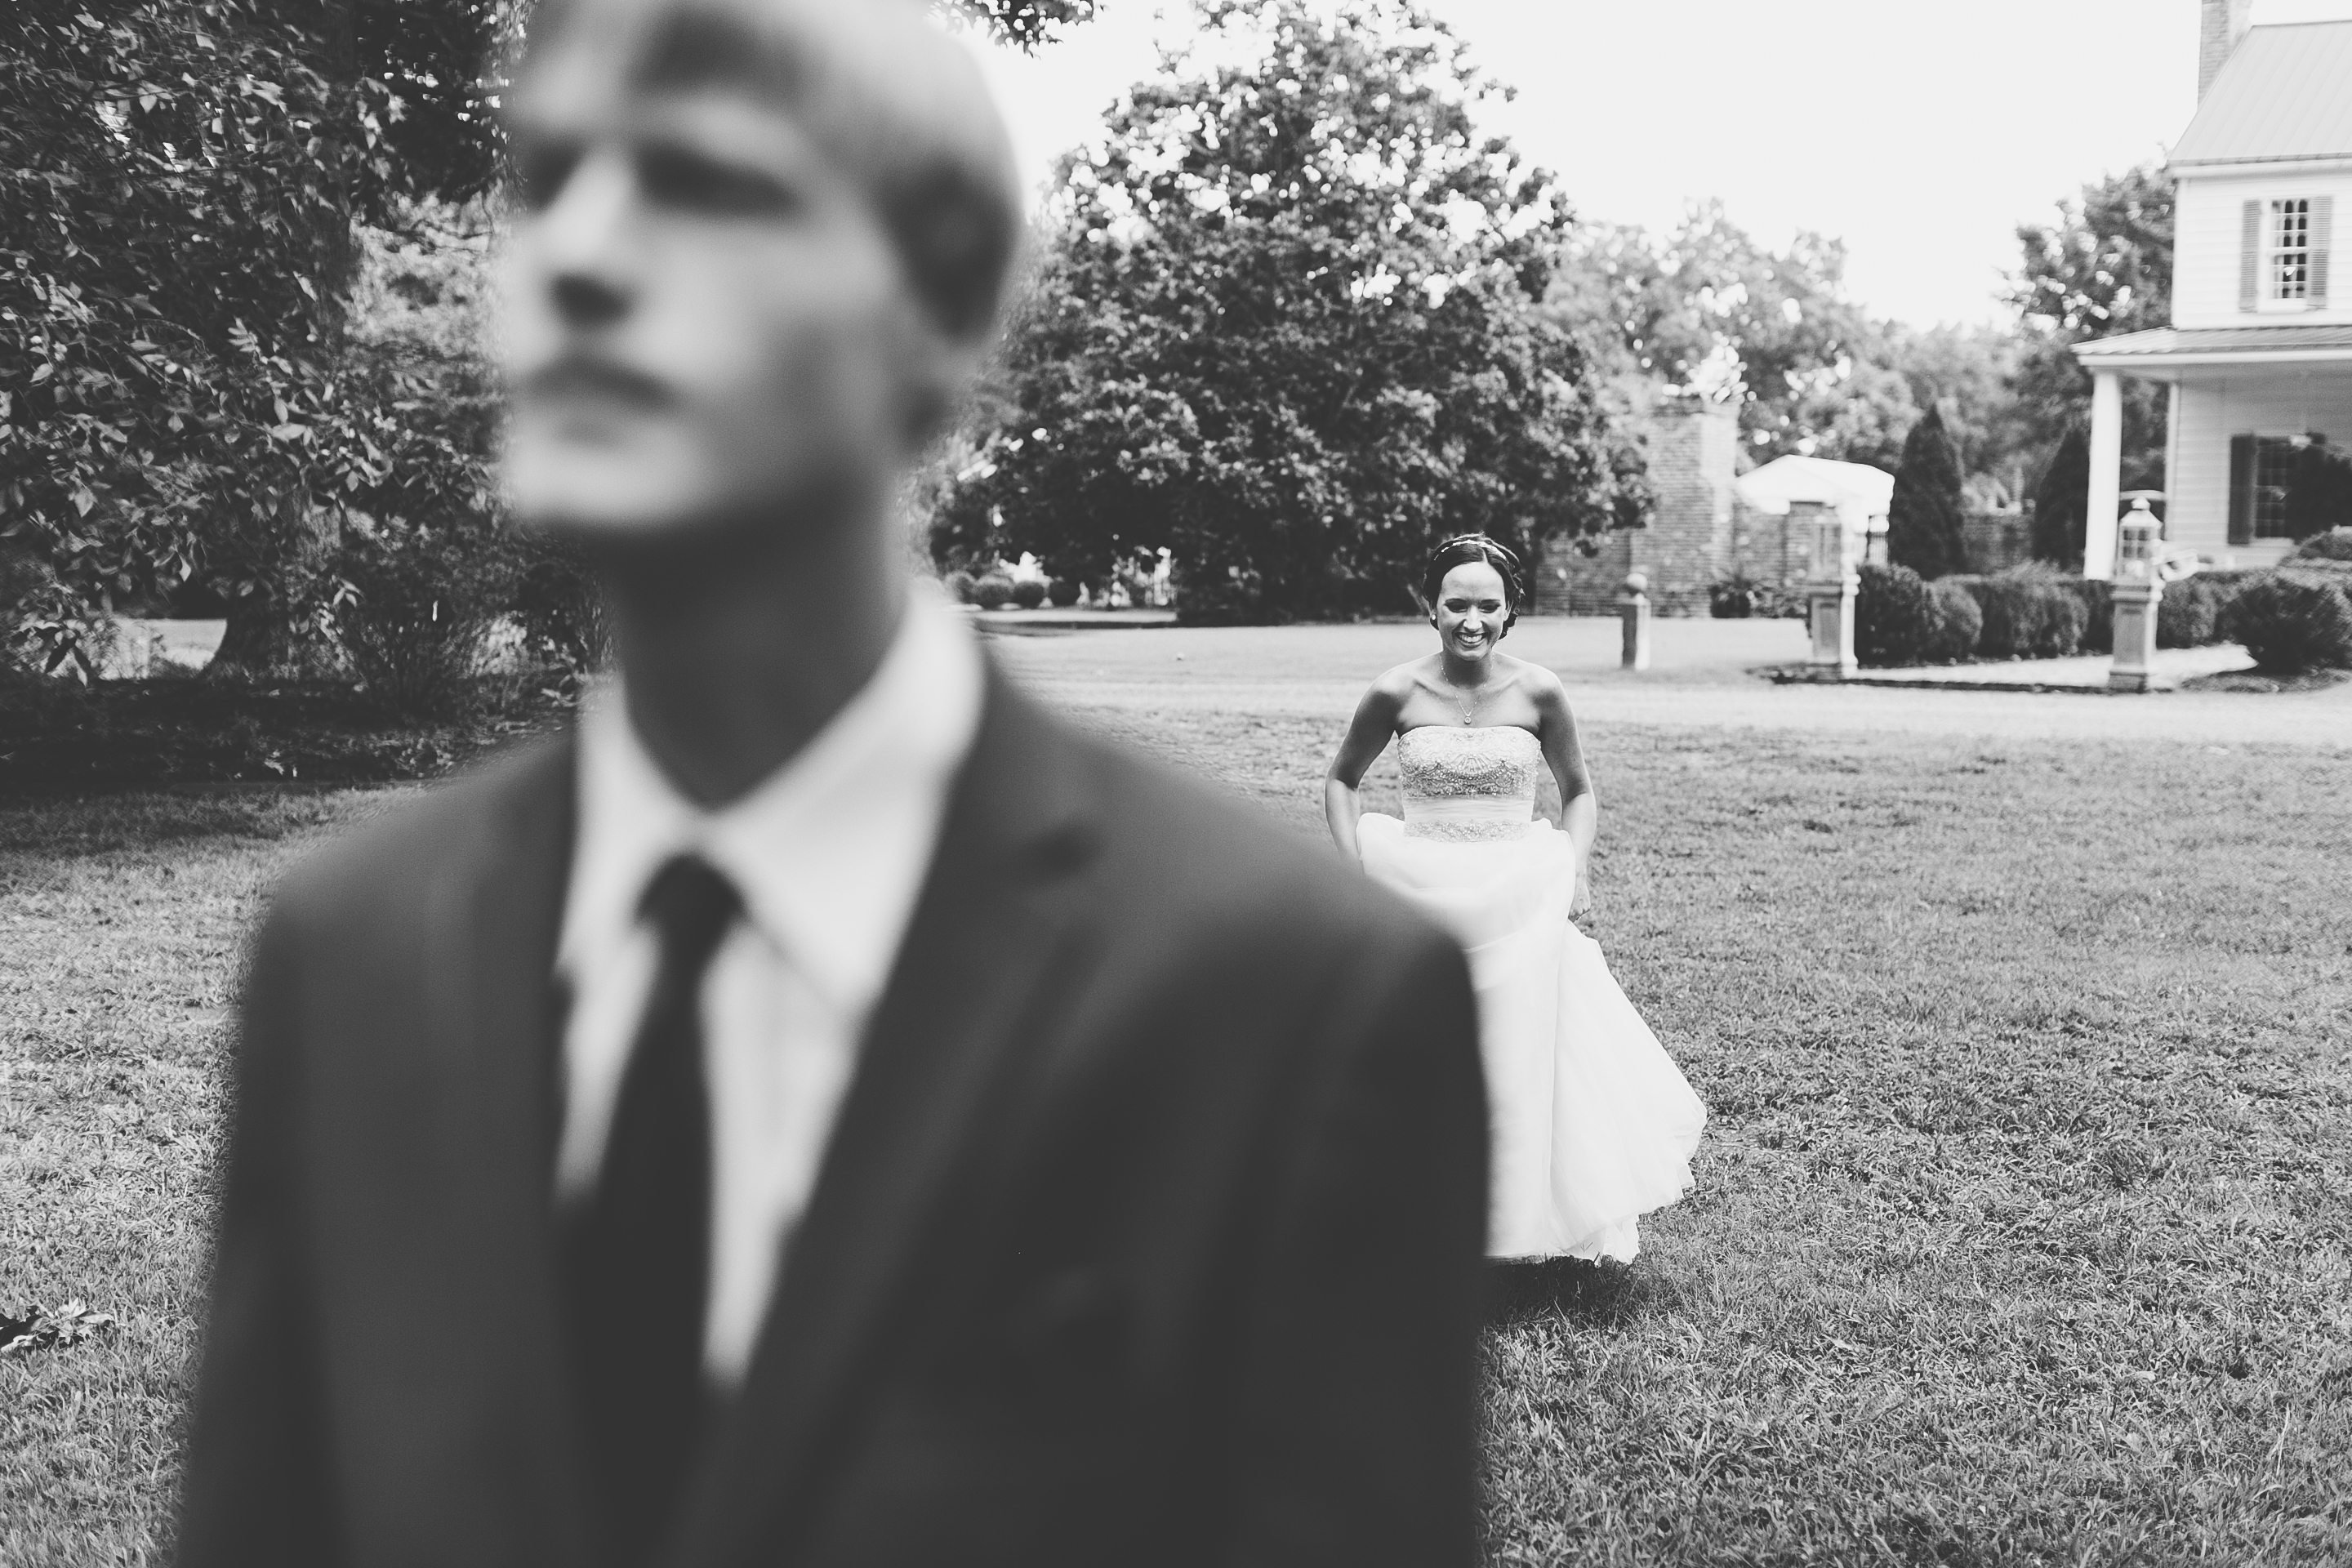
x=1149 y=1233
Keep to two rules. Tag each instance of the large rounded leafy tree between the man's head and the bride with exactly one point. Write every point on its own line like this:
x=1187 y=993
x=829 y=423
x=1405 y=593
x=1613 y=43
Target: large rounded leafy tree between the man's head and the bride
x=1288 y=326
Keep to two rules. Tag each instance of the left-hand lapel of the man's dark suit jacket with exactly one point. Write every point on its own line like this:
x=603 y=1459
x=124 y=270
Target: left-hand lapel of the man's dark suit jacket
x=497 y=920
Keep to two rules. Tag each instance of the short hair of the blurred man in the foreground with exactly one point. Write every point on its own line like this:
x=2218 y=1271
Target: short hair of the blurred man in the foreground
x=914 y=128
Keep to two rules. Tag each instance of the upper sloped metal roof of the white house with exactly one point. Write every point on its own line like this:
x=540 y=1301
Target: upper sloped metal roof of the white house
x=2285 y=93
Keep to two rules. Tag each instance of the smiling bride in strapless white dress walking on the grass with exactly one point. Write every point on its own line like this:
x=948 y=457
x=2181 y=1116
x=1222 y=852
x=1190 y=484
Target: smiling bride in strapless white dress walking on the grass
x=1593 y=1125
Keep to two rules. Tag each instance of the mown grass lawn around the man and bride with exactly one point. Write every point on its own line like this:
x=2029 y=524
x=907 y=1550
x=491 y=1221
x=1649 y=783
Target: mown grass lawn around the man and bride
x=2022 y=1226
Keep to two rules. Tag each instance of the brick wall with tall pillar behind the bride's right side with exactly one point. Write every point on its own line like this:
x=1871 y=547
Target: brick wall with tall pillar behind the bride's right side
x=1690 y=540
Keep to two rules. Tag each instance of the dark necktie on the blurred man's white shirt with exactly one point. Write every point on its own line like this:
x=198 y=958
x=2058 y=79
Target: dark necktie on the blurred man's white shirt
x=639 y=1252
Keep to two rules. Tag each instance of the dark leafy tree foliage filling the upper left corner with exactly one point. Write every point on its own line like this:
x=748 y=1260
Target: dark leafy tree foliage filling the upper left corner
x=178 y=199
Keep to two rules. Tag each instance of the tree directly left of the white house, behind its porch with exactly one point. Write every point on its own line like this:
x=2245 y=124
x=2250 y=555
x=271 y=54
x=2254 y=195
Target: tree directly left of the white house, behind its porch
x=2104 y=269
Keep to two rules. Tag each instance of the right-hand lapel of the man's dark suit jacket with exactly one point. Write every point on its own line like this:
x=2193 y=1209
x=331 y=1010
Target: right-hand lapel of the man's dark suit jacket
x=987 y=930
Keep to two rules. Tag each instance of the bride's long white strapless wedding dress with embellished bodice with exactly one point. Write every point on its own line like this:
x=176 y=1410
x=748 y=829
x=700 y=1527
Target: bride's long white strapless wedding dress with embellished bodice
x=1593 y=1125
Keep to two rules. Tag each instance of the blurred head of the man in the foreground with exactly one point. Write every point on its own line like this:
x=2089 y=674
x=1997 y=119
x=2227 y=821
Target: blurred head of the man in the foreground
x=761 y=253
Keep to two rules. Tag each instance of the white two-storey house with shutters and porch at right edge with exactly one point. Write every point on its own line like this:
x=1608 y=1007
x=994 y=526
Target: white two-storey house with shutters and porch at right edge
x=2259 y=356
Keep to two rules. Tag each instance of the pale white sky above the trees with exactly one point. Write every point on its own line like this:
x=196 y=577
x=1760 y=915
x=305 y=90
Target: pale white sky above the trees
x=1920 y=133
